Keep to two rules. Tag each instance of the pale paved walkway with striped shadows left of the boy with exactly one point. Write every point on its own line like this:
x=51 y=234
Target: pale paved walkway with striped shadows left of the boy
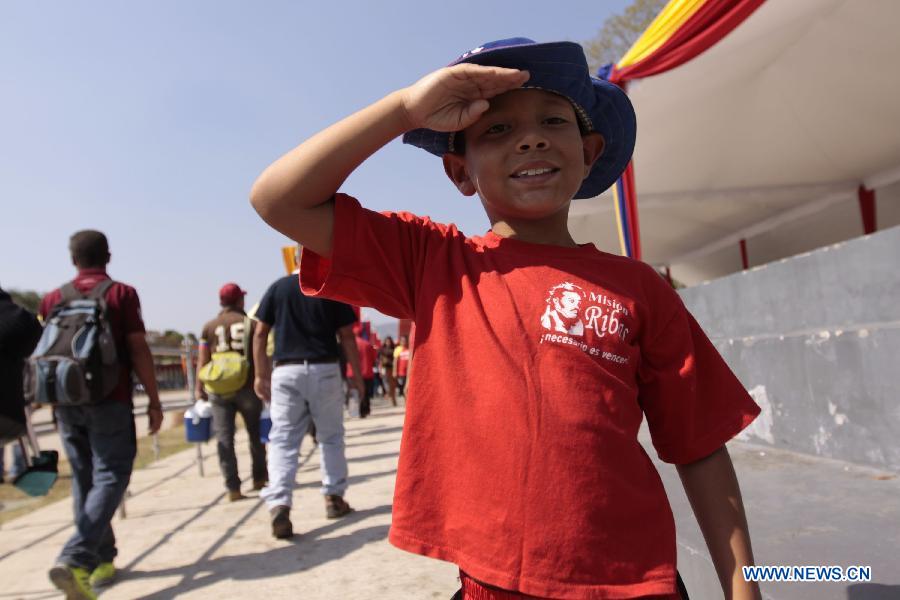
x=182 y=538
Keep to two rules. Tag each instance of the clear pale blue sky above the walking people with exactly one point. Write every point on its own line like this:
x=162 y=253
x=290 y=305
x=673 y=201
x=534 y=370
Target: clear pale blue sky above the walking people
x=150 y=121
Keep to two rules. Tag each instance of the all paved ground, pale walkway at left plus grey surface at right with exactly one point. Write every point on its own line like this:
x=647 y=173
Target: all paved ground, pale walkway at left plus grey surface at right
x=181 y=538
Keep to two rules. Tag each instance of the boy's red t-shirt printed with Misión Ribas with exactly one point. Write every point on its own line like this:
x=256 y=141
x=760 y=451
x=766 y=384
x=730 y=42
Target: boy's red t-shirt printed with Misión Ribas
x=535 y=365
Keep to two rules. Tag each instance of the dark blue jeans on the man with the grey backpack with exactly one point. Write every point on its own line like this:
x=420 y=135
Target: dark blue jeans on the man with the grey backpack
x=100 y=443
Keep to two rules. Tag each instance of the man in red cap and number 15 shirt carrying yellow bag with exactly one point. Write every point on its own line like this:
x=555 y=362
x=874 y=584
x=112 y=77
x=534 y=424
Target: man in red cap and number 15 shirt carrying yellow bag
x=225 y=376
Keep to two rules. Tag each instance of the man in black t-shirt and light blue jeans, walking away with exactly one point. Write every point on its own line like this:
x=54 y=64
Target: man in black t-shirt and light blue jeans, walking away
x=304 y=384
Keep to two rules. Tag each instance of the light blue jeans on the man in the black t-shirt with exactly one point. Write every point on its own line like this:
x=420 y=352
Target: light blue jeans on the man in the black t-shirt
x=299 y=393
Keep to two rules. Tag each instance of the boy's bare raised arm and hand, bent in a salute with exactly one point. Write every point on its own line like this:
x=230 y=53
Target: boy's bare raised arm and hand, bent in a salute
x=294 y=194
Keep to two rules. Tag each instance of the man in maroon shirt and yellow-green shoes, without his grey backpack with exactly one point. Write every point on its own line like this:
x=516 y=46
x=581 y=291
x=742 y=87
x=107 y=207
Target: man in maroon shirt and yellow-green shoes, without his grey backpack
x=99 y=438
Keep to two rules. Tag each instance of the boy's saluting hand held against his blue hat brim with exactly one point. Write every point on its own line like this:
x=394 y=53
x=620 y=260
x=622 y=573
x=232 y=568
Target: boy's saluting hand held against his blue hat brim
x=452 y=98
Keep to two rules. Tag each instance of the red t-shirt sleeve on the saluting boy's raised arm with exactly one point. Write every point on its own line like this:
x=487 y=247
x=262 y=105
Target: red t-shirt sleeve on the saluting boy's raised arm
x=377 y=259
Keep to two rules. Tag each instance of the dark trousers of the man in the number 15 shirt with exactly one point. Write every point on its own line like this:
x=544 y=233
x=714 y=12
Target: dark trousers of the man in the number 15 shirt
x=224 y=411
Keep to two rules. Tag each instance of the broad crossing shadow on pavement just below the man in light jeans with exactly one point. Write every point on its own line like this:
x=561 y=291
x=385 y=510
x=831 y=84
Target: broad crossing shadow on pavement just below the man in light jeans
x=305 y=551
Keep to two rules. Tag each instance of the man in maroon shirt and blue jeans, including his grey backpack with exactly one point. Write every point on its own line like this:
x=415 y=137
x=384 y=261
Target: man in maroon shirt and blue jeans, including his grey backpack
x=93 y=338
